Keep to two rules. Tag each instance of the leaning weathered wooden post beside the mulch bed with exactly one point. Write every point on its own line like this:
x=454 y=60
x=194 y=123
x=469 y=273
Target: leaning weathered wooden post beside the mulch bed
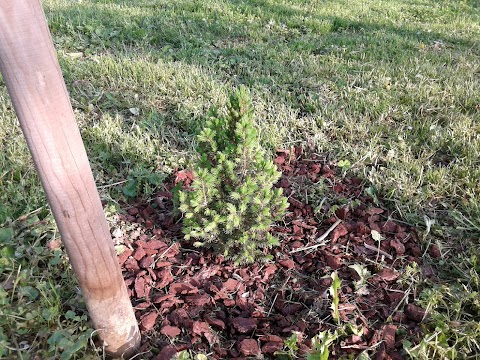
x=34 y=80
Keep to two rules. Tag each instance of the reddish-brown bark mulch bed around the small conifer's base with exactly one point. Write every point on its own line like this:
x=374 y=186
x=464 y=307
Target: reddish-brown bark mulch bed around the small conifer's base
x=186 y=298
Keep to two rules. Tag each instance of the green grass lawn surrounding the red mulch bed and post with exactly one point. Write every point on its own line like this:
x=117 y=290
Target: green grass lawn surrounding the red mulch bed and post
x=392 y=87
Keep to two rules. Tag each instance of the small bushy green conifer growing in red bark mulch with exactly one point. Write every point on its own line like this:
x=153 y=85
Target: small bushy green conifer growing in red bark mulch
x=233 y=202
